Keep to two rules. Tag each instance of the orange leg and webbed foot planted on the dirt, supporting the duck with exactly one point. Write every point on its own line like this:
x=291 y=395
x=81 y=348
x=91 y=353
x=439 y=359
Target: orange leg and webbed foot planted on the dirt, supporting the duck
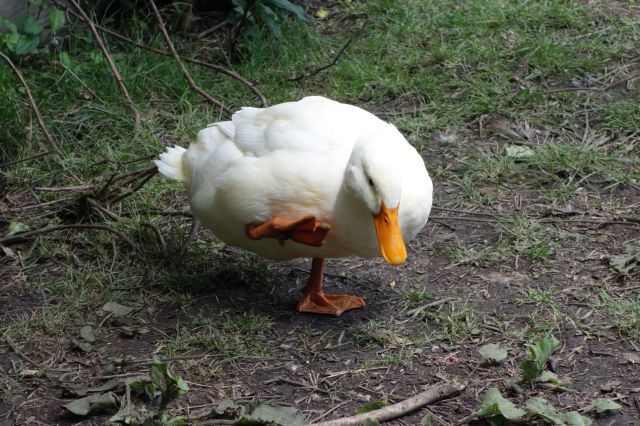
x=316 y=301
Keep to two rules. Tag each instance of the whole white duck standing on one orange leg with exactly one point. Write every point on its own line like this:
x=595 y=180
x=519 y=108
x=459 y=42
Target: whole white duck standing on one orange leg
x=314 y=178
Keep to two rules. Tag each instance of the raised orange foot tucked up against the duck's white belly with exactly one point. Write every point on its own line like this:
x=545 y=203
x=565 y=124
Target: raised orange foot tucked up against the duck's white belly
x=306 y=230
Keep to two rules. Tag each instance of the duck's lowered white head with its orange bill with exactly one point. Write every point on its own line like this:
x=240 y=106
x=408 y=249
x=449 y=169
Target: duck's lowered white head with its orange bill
x=374 y=175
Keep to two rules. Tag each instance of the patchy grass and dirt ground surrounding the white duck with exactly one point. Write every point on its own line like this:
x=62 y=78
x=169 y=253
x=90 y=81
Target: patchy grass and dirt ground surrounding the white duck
x=527 y=117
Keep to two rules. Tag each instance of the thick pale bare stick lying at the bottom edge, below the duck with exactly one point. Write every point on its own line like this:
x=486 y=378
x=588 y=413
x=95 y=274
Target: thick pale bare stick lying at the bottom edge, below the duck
x=399 y=409
